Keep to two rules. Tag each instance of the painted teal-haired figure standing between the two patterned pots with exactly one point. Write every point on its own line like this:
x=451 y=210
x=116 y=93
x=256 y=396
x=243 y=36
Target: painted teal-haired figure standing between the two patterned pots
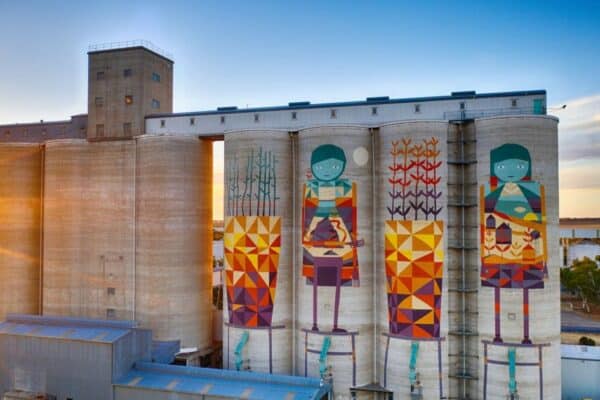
x=329 y=234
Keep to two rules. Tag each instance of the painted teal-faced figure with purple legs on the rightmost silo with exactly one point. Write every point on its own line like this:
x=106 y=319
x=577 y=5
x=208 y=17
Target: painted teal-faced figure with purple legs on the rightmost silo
x=512 y=229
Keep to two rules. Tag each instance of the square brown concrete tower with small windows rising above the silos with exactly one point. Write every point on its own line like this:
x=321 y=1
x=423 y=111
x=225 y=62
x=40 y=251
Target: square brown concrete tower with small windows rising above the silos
x=124 y=85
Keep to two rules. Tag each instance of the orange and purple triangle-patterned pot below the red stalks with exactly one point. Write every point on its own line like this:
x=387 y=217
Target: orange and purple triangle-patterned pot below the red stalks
x=414 y=268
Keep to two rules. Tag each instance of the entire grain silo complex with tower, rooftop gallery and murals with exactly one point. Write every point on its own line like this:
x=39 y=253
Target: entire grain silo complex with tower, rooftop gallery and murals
x=395 y=247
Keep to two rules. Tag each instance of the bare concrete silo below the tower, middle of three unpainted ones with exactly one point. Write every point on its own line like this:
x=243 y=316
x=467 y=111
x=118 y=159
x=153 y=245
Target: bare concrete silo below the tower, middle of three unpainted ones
x=89 y=229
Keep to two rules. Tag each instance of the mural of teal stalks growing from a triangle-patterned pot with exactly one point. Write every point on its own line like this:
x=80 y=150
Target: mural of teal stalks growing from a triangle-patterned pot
x=252 y=239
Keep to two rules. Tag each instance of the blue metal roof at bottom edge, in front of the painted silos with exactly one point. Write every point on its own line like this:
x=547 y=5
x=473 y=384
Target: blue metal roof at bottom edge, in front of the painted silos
x=223 y=383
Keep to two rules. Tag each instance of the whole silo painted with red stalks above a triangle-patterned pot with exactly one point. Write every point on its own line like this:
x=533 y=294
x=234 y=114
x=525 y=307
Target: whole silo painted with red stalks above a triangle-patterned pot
x=411 y=214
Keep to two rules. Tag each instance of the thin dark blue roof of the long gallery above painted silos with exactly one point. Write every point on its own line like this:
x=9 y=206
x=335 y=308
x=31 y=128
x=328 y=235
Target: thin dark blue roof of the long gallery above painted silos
x=301 y=105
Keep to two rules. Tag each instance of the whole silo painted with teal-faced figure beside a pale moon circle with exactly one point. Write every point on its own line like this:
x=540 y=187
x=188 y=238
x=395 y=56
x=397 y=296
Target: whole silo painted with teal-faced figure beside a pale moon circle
x=334 y=255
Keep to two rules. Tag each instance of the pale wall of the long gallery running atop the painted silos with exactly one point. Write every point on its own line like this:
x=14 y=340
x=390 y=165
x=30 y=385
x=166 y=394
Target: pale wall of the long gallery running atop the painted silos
x=209 y=123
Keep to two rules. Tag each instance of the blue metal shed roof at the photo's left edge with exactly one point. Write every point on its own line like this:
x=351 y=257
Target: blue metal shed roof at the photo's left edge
x=64 y=328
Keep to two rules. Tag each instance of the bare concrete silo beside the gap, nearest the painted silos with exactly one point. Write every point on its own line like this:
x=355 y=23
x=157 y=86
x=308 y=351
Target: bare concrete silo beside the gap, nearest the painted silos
x=173 y=238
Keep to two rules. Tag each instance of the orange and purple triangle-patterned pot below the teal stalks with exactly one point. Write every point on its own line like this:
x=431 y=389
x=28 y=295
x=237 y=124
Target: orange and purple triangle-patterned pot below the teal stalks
x=252 y=245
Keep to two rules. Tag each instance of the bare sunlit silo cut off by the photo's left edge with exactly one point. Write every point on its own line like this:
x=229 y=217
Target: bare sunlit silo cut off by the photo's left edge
x=20 y=219
